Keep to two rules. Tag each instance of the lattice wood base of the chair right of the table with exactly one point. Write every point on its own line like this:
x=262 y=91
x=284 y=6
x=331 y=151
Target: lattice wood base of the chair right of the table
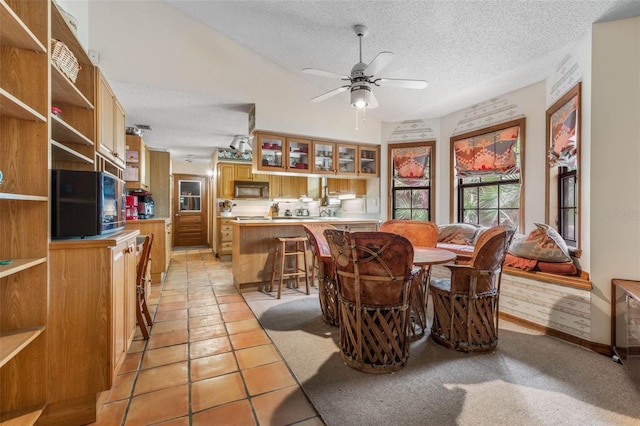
x=451 y=327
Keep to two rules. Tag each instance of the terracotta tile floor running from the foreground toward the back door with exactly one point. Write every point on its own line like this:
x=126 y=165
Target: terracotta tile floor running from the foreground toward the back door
x=207 y=362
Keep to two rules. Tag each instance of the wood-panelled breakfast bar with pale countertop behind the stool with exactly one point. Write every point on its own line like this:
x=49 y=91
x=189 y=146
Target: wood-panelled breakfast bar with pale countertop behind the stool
x=253 y=243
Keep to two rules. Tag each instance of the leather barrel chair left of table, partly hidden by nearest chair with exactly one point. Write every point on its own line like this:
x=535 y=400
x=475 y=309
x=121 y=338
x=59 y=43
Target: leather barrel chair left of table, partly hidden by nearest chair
x=326 y=271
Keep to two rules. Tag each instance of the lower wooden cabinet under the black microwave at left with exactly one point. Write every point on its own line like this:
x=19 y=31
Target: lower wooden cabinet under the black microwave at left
x=92 y=318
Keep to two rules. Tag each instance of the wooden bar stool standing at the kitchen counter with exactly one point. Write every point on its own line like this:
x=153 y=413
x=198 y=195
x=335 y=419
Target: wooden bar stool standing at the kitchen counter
x=290 y=246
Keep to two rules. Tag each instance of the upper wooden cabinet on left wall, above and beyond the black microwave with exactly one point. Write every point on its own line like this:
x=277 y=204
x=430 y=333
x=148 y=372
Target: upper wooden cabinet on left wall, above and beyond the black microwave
x=110 y=119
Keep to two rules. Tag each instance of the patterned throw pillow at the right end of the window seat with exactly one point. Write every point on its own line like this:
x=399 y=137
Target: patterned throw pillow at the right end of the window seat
x=543 y=243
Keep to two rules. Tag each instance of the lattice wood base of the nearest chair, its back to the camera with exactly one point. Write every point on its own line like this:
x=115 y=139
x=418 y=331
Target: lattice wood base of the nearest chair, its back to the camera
x=376 y=341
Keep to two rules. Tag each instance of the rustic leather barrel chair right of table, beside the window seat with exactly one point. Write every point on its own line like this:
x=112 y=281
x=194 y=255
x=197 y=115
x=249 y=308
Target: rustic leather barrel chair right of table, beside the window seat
x=466 y=305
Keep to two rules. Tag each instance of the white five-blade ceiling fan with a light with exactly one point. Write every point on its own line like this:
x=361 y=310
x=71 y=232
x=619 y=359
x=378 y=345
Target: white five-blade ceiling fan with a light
x=362 y=77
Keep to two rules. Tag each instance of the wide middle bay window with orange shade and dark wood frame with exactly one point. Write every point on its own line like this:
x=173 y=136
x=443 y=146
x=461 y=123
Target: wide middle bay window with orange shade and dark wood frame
x=488 y=175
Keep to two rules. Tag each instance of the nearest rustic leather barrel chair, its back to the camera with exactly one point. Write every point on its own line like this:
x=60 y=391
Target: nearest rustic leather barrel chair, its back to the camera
x=373 y=275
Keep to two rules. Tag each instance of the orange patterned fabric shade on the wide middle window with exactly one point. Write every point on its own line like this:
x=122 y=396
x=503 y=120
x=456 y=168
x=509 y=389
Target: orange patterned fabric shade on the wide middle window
x=490 y=154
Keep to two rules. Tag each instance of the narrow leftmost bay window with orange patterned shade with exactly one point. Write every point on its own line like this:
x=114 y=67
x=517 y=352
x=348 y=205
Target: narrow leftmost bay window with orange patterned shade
x=411 y=177
